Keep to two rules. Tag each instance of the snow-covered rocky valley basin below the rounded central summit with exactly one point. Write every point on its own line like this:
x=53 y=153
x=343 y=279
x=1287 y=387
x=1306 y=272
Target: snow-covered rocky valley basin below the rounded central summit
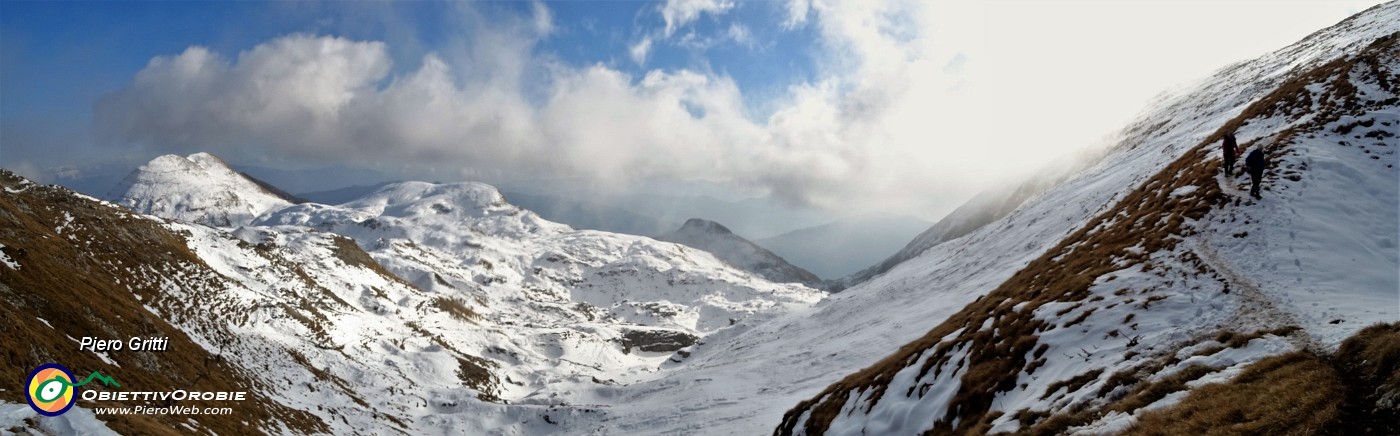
x=555 y=311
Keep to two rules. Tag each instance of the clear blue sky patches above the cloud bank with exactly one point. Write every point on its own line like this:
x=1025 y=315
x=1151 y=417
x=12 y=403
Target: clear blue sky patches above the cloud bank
x=61 y=57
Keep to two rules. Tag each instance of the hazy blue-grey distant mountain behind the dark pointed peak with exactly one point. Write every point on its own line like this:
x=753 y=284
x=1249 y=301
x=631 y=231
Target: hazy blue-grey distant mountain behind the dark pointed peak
x=846 y=246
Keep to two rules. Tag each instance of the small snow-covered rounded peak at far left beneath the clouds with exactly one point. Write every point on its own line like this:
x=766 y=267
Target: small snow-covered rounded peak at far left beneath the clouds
x=199 y=189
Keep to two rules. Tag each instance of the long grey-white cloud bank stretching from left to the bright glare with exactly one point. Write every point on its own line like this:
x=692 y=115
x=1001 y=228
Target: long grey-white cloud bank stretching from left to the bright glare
x=859 y=138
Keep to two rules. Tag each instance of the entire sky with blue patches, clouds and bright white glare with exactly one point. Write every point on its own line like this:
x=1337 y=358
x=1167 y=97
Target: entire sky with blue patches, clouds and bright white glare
x=839 y=104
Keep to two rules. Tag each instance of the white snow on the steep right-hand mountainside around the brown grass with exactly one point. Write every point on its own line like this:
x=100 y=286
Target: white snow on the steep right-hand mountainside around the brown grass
x=744 y=383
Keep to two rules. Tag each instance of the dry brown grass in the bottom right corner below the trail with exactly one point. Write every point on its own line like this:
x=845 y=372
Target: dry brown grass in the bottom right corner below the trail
x=1297 y=393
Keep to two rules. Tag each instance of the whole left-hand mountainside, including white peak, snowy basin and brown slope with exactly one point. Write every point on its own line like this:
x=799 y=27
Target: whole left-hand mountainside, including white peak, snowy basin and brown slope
x=419 y=306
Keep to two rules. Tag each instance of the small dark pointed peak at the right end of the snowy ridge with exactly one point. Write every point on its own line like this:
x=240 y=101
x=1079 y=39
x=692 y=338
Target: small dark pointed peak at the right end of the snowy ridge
x=737 y=252
